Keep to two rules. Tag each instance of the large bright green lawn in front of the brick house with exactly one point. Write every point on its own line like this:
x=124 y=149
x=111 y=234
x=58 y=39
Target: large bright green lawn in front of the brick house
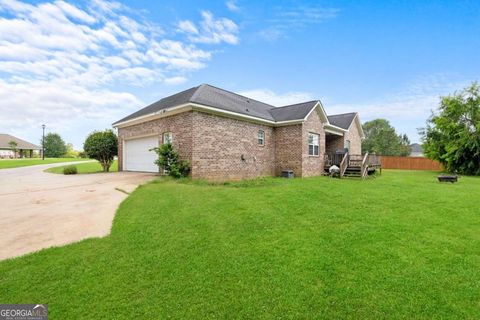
x=399 y=246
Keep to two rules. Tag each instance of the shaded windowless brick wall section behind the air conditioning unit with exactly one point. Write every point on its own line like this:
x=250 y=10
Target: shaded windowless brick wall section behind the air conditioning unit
x=288 y=149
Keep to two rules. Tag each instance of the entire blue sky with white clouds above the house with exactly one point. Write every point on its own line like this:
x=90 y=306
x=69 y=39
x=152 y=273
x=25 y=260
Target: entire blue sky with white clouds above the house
x=79 y=66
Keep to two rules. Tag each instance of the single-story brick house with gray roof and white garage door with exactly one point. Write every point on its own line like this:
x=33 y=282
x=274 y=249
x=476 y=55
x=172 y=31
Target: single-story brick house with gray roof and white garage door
x=227 y=136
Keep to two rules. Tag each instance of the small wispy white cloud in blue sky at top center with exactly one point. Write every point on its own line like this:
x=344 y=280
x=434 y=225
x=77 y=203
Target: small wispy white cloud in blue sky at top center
x=211 y=30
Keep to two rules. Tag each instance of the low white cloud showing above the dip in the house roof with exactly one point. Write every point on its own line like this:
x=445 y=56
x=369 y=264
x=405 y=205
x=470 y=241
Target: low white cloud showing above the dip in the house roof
x=278 y=99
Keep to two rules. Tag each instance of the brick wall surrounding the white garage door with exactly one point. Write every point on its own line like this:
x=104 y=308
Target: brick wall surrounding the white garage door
x=179 y=125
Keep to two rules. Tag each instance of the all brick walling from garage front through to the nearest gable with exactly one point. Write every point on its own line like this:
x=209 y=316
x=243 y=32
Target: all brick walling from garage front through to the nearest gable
x=214 y=145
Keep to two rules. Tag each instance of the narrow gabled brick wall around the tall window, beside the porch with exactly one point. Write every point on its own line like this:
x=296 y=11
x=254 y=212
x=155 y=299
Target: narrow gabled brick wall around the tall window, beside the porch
x=312 y=165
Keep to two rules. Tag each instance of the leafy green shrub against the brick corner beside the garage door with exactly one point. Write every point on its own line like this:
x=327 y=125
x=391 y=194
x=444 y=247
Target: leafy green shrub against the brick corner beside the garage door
x=169 y=161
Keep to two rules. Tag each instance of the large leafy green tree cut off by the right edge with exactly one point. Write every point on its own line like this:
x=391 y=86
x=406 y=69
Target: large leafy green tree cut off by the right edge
x=452 y=136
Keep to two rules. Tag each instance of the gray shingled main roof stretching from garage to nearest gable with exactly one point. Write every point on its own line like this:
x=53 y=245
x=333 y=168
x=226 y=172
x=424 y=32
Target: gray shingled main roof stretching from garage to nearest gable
x=211 y=96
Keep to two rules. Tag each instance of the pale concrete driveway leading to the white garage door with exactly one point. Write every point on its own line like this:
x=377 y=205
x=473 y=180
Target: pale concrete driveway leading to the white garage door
x=39 y=210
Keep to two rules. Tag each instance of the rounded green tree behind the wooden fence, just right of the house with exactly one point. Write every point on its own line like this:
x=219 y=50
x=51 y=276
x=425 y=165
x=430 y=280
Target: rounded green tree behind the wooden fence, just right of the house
x=381 y=138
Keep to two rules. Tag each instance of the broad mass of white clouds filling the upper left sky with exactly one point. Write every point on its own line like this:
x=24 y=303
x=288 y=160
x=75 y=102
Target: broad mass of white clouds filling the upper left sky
x=65 y=63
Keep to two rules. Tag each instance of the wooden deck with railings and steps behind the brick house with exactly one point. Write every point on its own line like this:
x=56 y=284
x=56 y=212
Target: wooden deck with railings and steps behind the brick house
x=353 y=164
